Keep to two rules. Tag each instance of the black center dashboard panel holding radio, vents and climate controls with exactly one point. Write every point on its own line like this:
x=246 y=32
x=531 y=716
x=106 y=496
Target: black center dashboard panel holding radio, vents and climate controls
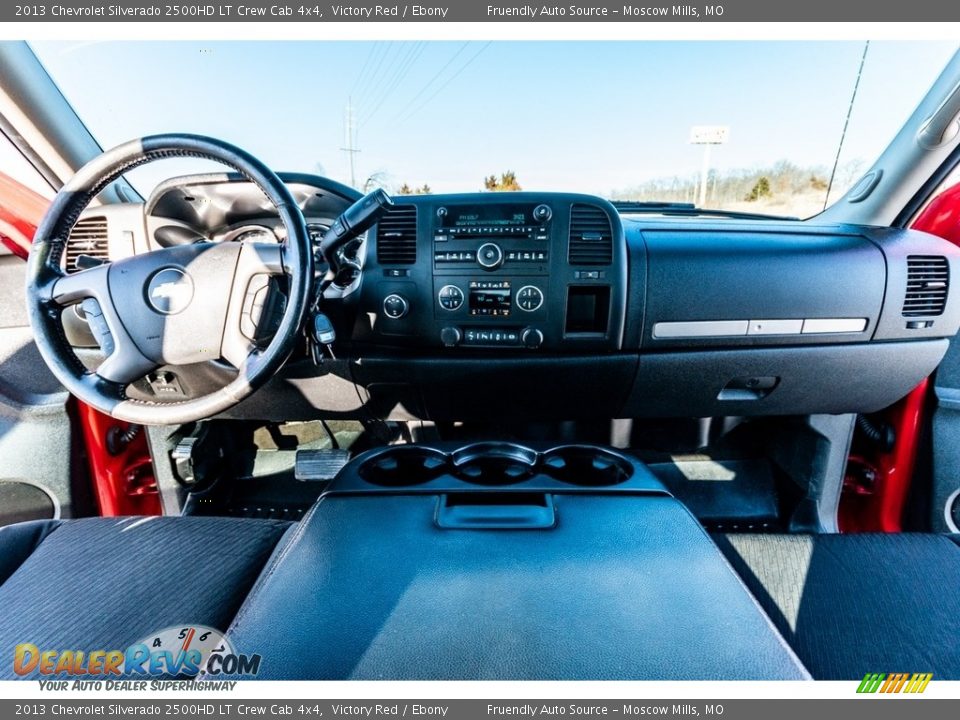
x=498 y=270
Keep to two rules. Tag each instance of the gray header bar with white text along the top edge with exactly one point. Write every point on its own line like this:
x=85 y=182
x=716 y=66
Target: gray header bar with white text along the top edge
x=300 y=11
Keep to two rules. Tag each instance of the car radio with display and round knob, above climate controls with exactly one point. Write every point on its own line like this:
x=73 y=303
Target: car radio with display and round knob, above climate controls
x=494 y=237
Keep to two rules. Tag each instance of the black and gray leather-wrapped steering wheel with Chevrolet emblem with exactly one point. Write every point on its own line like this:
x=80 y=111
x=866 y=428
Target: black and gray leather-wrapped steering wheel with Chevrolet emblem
x=174 y=306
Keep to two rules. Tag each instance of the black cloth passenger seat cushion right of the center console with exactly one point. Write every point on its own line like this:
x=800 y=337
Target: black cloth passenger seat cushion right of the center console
x=853 y=604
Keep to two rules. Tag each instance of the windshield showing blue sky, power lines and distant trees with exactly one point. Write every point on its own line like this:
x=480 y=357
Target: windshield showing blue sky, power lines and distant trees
x=765 y=127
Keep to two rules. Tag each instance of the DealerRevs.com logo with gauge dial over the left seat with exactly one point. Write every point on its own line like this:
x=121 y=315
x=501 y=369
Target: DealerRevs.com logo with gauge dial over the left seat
x=184 y=651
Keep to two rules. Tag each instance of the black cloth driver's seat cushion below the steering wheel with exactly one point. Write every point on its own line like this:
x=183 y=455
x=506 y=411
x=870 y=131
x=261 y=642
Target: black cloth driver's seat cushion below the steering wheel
x=106 y=583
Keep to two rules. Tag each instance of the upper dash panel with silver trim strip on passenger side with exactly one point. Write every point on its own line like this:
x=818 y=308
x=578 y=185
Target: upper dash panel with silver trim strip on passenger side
x=760 y=288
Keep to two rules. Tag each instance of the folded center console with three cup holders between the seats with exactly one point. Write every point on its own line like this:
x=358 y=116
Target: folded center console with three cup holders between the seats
x=498 y=561
